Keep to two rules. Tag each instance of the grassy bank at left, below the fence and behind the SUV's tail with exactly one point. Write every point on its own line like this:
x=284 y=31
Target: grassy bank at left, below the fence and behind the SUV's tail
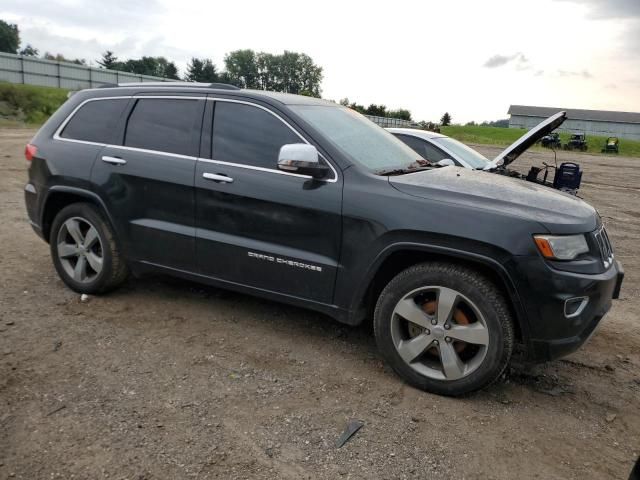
x=29 y=104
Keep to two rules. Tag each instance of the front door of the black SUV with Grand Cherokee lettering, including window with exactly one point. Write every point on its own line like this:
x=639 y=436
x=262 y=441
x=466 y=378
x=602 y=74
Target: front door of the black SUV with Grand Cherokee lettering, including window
x=257 y=225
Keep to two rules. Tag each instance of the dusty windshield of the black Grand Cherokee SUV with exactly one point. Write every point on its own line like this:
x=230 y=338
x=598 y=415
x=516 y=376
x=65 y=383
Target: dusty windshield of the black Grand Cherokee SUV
x=359 y=138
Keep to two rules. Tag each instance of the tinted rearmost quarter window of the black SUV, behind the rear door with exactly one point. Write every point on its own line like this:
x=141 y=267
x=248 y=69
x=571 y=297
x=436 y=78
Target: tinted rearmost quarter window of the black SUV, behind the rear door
x=95 y=121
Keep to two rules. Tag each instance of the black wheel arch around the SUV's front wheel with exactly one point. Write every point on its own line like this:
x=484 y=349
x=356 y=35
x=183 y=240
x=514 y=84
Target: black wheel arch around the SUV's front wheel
x=398 y=257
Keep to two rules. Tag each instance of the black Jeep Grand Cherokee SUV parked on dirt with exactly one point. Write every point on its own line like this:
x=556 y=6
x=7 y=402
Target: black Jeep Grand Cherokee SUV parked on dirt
x=307 y=202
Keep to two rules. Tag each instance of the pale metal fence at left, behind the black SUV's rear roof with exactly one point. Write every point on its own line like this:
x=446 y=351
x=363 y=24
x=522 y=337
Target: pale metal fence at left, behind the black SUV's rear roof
x=50 y=73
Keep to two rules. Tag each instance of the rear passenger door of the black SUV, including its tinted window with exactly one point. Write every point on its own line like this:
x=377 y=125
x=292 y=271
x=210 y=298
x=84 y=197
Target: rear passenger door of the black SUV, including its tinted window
x=147 y=179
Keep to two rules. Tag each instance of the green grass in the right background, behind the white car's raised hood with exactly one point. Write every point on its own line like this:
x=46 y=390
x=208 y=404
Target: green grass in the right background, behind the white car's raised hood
x=506 y=136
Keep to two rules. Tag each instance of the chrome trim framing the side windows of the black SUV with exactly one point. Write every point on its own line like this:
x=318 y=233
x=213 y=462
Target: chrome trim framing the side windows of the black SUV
x=56 y=135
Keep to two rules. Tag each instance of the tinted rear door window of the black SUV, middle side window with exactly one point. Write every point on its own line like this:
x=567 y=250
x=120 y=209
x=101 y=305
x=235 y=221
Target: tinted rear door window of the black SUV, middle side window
x=165 y=125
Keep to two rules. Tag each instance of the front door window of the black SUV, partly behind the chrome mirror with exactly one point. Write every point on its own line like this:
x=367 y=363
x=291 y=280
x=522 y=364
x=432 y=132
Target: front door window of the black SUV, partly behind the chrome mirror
x=249 y=135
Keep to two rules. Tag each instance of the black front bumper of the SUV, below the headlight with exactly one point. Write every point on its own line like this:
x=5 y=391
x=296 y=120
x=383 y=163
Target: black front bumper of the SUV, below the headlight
x=552 y=333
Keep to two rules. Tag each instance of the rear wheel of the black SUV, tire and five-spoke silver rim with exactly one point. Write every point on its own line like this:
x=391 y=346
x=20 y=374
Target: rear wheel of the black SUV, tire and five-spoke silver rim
x=84 y=250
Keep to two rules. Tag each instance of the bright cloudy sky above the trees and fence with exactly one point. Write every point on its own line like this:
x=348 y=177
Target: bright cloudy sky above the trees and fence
x=470 y=58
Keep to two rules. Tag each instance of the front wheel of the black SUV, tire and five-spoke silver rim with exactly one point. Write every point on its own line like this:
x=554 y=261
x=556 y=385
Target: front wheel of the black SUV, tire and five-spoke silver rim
x=478 y=313
